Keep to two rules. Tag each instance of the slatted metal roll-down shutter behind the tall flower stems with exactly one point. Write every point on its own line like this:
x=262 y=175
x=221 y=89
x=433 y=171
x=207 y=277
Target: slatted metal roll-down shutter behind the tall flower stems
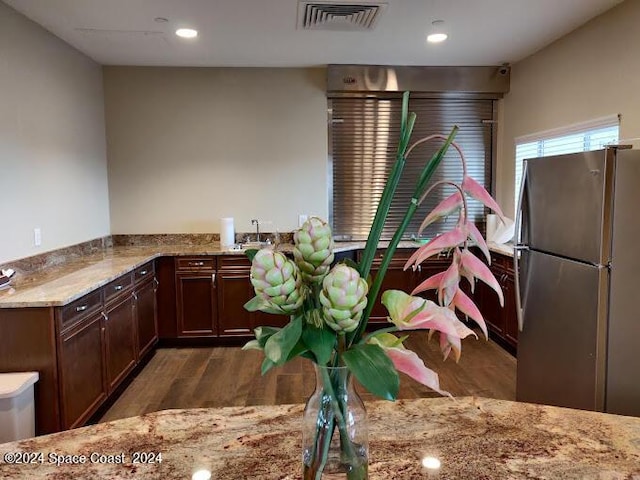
x=363 y=137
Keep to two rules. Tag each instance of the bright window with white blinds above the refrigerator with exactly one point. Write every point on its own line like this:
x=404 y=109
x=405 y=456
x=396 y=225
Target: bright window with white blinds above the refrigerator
x=582 y=137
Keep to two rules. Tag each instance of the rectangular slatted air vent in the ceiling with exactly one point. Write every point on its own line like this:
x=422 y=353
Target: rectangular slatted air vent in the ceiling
x=336 y=16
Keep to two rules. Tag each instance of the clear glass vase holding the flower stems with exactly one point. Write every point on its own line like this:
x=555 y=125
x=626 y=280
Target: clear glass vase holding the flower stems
x=334 y=430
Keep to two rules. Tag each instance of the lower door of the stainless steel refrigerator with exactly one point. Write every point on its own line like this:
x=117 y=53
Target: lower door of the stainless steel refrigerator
x=561 y=356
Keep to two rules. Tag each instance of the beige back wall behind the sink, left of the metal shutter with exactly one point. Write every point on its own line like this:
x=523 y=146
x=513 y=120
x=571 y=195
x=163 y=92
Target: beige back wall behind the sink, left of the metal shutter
x=187 y=146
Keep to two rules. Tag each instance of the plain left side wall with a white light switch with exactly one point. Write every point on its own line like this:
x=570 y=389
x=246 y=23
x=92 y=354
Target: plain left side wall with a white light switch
x=53 y=170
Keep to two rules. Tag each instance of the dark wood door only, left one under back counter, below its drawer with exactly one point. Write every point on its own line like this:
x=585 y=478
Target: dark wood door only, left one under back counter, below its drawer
x=196 y=304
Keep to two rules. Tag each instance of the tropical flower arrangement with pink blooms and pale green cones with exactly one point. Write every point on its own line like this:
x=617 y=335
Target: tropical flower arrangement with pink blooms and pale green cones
x=330 y=306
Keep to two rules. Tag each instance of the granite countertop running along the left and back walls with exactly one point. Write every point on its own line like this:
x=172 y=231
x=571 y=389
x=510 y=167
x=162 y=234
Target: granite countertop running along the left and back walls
x=62 y=284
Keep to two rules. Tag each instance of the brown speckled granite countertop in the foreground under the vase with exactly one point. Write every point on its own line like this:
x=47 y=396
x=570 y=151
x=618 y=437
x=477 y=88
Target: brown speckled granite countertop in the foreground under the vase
x=473 y=438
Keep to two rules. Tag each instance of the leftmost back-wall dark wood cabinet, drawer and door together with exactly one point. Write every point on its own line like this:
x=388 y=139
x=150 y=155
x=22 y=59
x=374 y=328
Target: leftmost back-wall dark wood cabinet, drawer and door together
x=196 y=297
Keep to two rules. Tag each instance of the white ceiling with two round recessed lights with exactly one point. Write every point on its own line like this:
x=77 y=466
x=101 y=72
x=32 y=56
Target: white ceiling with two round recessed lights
x=260 y=33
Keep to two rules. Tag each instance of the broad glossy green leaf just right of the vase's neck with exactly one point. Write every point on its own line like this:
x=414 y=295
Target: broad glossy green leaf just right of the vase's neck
x=373 y=369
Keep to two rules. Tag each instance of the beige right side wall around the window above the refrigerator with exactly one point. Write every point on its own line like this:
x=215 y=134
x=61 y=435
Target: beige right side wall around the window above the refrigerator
x=590 y=73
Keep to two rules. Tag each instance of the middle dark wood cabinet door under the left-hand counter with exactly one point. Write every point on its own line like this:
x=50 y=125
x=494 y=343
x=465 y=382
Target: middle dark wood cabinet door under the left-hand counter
x=120 y=340
